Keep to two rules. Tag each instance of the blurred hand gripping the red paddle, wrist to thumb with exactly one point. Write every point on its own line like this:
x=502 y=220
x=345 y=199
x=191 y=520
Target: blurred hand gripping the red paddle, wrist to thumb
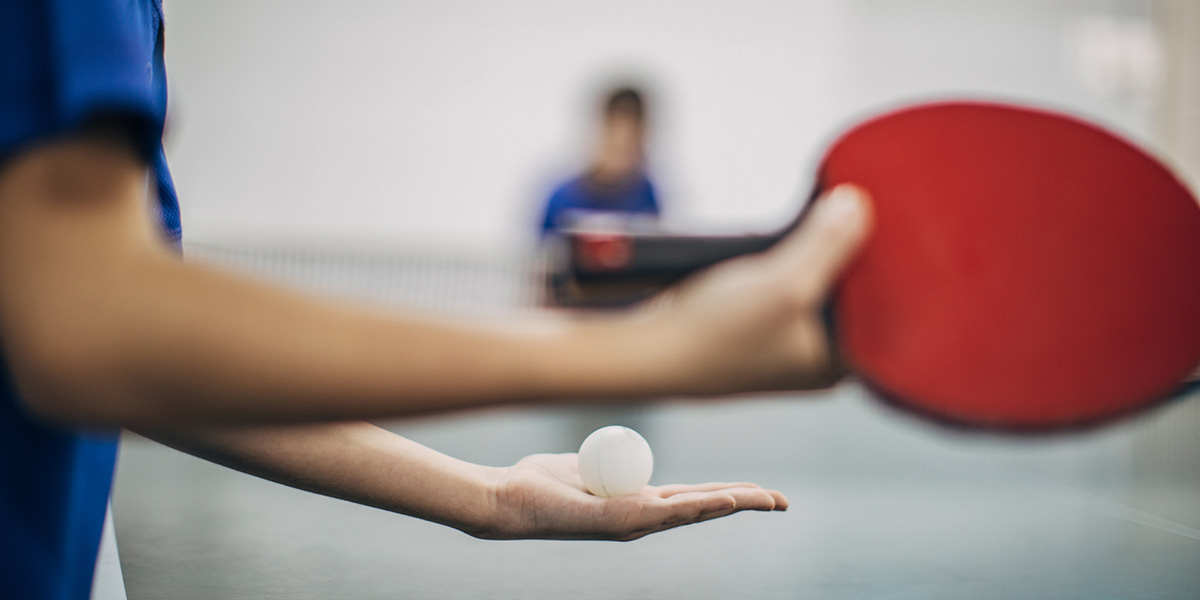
x=754 y=323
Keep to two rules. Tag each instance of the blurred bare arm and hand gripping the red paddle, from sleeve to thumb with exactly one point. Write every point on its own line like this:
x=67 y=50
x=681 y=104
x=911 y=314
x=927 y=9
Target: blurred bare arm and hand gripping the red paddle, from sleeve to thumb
x=103 y=323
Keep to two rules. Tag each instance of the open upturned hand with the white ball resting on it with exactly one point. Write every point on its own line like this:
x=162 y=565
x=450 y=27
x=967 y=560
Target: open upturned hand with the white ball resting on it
x=543 y=497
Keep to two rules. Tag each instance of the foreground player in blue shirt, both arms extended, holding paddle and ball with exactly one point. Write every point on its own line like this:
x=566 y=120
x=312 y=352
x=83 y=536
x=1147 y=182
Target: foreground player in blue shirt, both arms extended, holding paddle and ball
x=105 y=326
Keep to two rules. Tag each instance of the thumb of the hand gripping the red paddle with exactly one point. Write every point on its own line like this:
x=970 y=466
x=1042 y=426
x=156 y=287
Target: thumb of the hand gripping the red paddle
x=815 y=254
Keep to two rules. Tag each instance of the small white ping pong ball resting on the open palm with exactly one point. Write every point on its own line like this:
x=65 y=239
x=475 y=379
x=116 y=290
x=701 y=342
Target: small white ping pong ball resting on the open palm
x=615 y=461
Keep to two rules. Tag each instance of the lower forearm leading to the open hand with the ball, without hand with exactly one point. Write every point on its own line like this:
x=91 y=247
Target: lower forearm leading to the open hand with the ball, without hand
x=352 y=461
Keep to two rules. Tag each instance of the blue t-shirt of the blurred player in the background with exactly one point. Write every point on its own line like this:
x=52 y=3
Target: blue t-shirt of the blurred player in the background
x=581 y=195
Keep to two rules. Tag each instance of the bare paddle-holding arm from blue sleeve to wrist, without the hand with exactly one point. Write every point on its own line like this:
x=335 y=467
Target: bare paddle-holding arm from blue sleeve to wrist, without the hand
x=104 y=325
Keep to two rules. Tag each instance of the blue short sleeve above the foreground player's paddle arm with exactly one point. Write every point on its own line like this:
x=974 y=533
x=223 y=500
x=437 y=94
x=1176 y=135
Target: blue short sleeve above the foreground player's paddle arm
x=68 y=63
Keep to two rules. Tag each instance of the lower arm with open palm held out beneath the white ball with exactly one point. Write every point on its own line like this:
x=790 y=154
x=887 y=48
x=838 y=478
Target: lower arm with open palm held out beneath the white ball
x=542 y=497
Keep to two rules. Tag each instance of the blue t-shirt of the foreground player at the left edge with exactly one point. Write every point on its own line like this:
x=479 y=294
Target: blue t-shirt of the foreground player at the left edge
x=65 y=65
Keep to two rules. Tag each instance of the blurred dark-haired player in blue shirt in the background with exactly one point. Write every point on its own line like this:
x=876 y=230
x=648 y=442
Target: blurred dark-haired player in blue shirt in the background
x=615 y=182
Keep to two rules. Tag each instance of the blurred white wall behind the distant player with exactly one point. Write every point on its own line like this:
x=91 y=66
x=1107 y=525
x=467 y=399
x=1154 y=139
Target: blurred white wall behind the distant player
x=446 y=123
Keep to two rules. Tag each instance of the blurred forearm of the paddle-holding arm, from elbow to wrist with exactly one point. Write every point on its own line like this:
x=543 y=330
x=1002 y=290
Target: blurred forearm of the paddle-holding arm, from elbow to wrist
x=250 y=352
